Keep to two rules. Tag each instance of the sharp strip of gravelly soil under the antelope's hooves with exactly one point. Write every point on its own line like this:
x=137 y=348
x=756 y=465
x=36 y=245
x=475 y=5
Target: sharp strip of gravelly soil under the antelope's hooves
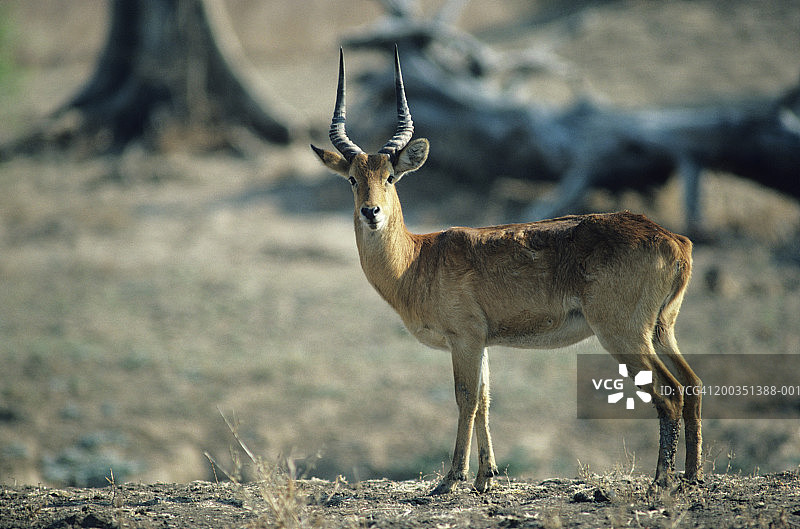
x=770 y=501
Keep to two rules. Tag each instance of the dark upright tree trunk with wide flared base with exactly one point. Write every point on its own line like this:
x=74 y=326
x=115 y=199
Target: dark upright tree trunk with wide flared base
x=170 y=71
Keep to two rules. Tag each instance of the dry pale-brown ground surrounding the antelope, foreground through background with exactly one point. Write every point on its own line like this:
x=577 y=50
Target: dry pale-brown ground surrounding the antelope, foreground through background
x=140 y=295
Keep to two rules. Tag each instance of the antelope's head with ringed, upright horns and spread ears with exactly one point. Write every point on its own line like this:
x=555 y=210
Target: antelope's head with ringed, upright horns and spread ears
x=372 y=176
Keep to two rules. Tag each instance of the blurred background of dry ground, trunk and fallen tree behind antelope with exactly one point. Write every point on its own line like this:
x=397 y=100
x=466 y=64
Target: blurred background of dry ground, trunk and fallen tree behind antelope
x=171 y=250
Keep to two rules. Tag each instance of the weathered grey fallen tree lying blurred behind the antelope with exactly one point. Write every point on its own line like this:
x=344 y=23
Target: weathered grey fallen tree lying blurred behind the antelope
x=482 y=133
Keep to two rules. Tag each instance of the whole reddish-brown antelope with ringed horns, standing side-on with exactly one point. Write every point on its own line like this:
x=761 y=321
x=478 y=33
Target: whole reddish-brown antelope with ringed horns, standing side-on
x=544 y=284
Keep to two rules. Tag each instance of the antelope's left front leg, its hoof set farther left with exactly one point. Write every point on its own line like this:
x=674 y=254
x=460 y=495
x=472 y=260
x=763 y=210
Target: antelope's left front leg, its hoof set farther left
x=466 y=375
